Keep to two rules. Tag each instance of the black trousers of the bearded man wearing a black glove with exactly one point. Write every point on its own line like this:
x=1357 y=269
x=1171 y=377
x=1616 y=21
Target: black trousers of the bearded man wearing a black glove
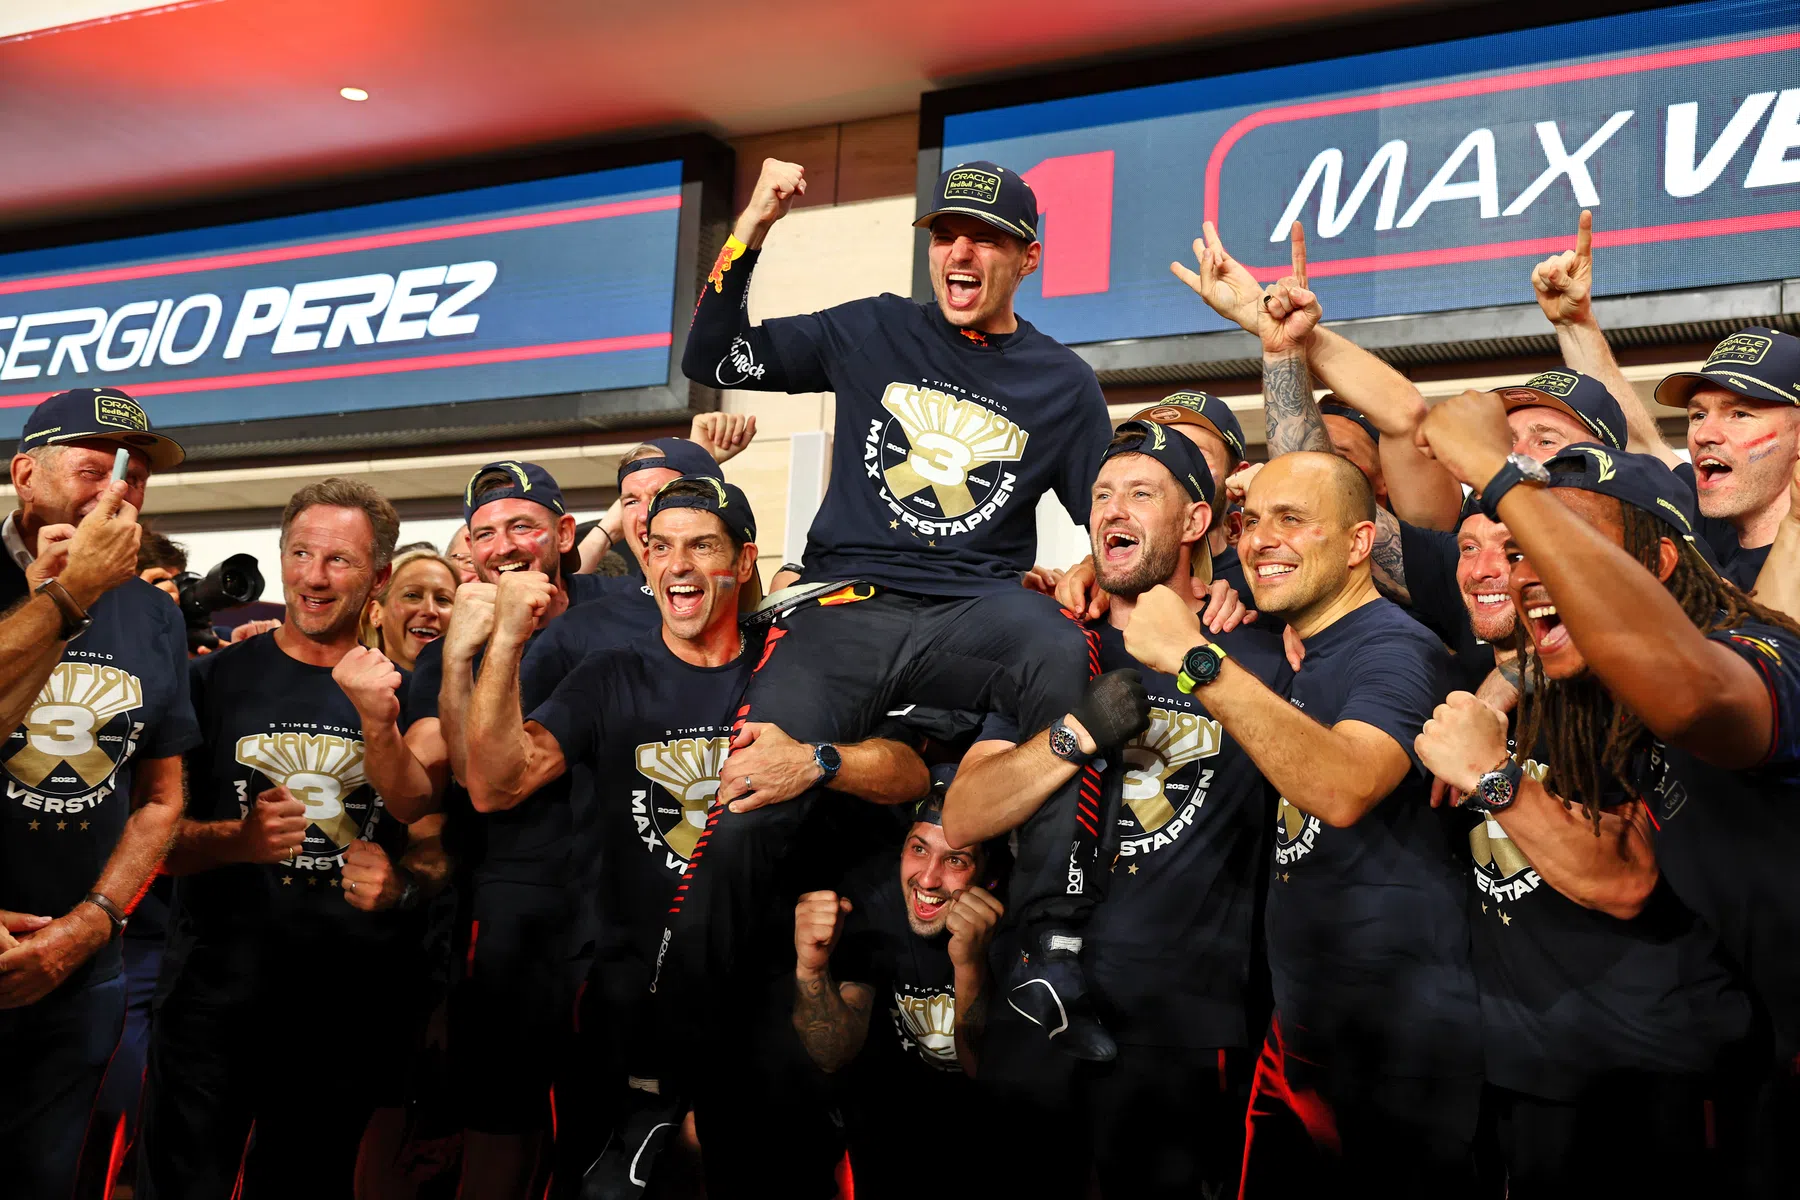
x=1156 y=1124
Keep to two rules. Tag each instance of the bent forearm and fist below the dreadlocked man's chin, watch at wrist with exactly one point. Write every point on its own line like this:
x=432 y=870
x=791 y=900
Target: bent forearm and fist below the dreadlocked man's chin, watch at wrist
x=1608 y=866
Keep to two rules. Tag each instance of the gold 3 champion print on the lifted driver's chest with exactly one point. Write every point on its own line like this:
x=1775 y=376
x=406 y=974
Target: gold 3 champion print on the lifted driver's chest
x=948 y=440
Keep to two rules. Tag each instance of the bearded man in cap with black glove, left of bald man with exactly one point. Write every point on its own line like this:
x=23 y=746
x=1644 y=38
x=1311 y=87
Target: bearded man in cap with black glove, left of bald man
x=1174 y=951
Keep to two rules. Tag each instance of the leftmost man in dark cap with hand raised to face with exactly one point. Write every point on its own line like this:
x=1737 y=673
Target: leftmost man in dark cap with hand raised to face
x=96 y=685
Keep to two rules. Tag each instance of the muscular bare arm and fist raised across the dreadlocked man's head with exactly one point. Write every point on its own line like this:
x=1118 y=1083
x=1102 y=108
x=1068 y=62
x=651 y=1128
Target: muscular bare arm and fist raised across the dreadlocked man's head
x=1628 y=627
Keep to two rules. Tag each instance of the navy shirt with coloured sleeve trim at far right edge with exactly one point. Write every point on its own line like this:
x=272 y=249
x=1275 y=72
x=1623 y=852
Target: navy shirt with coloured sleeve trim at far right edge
x=1723 y=836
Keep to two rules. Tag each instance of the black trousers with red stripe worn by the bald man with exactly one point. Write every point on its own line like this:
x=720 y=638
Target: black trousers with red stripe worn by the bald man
x=1322 y=1129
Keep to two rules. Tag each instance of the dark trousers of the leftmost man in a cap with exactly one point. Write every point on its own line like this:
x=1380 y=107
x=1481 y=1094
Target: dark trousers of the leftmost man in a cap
x=55 y=1055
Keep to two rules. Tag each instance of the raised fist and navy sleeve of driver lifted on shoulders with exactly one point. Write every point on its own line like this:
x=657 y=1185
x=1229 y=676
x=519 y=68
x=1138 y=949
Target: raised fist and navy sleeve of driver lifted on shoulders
x=724 y=348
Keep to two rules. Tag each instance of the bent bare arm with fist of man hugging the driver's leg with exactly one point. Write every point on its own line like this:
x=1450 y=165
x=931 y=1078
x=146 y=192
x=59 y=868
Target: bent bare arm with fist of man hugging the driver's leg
x=508 y=758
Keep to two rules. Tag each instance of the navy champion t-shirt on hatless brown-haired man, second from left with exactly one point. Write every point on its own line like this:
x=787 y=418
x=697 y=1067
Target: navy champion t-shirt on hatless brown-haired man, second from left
x=271 y=721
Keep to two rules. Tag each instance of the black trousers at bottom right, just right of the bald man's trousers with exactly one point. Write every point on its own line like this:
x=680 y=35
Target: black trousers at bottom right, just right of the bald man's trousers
x=1635 y=1134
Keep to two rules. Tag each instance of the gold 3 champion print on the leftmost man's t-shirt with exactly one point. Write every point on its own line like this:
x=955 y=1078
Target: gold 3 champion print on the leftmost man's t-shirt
x=67 y=721
